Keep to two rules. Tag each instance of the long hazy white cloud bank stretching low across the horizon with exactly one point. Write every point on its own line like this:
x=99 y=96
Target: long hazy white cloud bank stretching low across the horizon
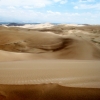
x=50 y=16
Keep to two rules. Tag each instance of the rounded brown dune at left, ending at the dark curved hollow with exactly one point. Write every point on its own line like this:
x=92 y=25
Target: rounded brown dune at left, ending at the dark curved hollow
x=33 y=39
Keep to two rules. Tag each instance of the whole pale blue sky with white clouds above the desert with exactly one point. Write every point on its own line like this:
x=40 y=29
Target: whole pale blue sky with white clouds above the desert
x=50 y=11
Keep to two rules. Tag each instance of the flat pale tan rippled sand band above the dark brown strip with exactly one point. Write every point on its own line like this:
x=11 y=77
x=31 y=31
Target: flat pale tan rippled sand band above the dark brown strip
x=69 y=73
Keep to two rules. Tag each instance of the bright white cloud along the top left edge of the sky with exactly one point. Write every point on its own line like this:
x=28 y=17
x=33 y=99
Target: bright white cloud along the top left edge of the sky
x=34 y=3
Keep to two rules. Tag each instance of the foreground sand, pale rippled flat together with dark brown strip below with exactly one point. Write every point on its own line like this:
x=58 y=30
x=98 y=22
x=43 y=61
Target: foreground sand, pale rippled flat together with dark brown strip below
x=50 y=80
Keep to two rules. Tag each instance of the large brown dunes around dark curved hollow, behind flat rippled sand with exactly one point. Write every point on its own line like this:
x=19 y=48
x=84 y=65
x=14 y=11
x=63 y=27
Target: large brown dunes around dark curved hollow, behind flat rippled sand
x=46 y=45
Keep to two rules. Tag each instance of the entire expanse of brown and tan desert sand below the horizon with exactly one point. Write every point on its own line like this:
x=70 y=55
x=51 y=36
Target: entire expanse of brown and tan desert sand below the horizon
x=50 y=62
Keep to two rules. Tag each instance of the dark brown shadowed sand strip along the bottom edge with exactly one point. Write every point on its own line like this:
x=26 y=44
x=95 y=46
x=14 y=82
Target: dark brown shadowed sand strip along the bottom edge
x=48 y=92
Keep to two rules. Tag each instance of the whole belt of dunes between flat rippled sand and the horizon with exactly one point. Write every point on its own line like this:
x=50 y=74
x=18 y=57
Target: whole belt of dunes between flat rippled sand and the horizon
x=71 y=43
